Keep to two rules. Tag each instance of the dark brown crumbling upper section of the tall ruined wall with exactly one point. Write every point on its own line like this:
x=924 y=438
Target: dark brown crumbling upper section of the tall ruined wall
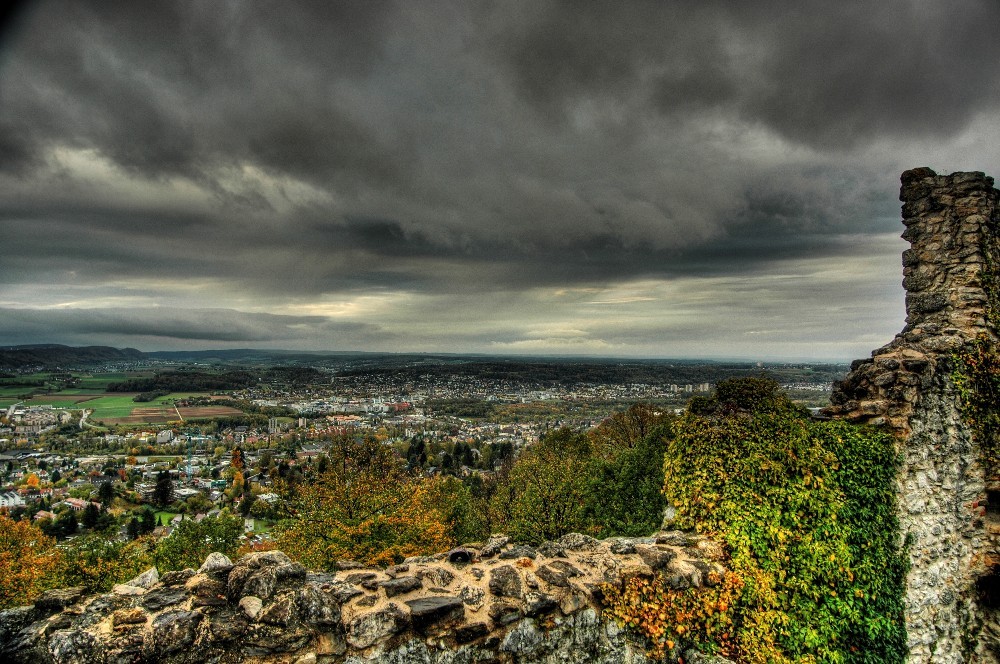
x=951 y=224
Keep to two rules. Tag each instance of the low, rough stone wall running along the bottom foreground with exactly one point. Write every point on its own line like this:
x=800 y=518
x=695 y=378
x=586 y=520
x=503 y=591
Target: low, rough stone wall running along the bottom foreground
x=497 y=604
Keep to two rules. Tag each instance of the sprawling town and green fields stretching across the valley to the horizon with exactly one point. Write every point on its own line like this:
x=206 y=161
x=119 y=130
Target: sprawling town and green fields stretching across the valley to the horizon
x=145 y=441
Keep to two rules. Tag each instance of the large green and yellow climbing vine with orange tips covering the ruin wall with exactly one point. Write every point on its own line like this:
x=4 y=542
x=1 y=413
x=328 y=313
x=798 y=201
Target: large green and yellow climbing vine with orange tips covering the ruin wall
x=806 y=513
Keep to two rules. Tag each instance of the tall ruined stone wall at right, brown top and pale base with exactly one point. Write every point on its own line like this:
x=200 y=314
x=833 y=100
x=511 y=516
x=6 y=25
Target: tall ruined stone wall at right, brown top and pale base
x=952 y=225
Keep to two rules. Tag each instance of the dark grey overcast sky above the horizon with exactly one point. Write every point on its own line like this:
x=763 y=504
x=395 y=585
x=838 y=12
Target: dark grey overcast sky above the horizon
x=622 y=178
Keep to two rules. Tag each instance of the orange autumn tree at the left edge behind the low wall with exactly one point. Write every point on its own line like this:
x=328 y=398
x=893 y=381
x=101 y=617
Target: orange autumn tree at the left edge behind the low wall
x=29 y=562
